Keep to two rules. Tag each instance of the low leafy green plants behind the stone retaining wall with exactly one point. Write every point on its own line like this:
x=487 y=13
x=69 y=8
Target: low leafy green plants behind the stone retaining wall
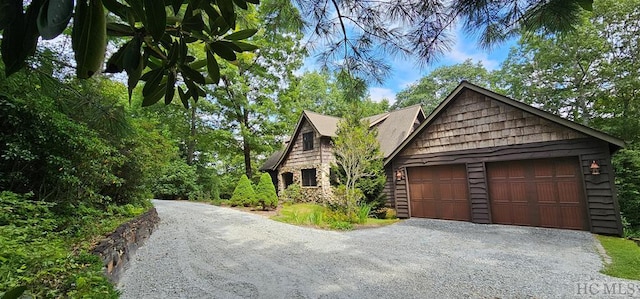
x=48 y=253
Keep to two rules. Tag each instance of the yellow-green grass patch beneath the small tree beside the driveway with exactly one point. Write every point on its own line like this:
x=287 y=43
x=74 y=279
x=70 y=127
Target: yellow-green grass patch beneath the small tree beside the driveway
x=319 y=216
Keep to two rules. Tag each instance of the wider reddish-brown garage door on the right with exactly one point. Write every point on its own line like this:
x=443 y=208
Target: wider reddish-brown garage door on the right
x=542 y=192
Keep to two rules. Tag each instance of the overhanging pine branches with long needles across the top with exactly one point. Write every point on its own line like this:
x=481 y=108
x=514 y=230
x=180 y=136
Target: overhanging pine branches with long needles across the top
x=358 y=35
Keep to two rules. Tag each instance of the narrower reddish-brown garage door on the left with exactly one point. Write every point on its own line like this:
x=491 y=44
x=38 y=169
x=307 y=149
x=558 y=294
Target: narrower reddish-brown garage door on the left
x=439 y=192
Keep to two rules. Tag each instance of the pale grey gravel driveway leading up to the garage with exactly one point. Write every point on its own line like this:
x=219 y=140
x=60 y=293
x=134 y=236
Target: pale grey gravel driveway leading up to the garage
x=203 y=251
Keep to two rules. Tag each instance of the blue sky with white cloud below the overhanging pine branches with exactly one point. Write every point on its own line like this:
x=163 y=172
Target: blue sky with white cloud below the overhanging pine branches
x=405 y=71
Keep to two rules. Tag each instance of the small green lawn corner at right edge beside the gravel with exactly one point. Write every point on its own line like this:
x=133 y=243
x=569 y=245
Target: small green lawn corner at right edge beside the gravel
x=625 y=257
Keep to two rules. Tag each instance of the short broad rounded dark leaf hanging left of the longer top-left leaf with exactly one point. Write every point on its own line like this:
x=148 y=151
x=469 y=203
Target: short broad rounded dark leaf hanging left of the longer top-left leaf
x=53 y=17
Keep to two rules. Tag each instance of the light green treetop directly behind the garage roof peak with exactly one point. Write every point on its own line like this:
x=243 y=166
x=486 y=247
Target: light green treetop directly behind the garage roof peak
x=434 y=87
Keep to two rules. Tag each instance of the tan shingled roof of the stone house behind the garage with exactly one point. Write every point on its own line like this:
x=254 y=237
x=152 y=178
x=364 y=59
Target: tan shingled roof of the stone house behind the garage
x=393 y=128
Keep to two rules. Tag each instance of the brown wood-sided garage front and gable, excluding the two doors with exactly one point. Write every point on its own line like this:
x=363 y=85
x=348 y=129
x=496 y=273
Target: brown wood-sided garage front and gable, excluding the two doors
x=476 y=127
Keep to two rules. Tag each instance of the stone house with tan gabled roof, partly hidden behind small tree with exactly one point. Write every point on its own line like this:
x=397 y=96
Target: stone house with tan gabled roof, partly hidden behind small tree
x=307 y=157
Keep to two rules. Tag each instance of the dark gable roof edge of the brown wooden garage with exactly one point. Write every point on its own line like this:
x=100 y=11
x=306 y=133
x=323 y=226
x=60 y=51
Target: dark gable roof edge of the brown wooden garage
x=615 y=143
